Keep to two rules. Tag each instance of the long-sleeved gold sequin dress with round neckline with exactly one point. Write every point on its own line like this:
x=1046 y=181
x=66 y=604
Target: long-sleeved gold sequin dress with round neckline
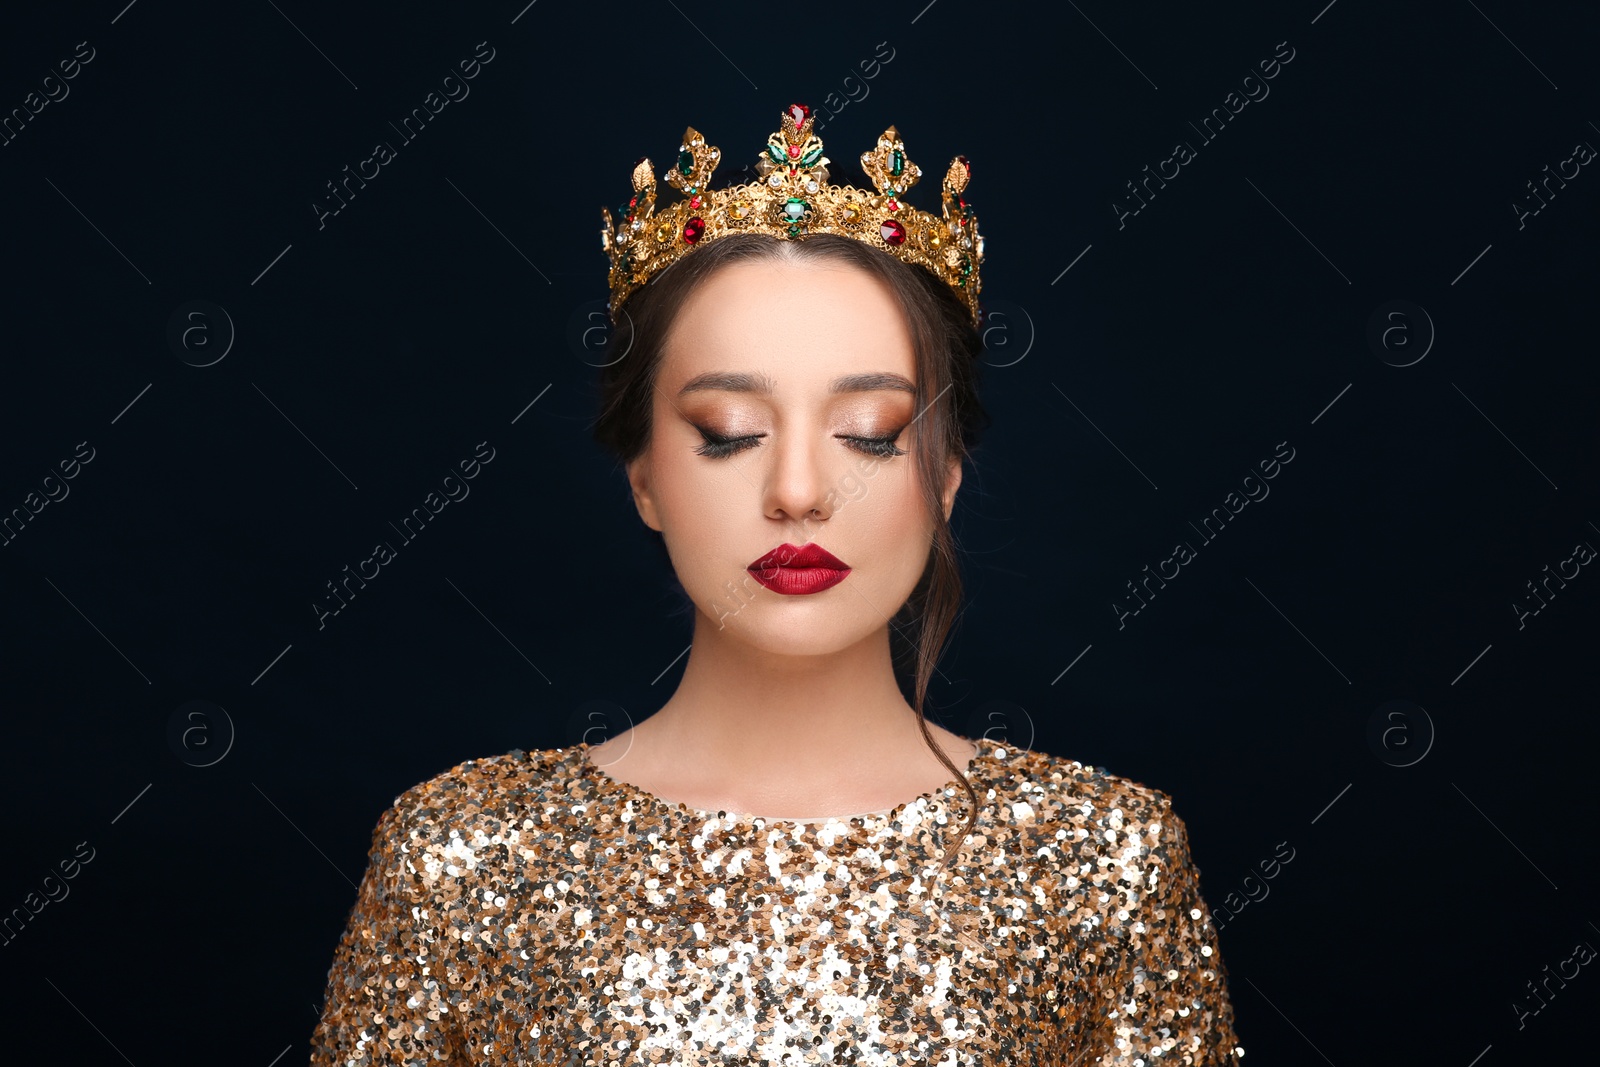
x=530 y=909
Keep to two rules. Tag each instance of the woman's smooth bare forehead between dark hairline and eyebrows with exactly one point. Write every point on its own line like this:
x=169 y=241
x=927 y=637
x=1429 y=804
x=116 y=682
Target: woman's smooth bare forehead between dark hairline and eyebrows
x=798 y=324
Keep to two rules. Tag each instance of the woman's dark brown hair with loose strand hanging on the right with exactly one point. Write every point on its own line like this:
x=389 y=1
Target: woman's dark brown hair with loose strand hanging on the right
x=946 y=348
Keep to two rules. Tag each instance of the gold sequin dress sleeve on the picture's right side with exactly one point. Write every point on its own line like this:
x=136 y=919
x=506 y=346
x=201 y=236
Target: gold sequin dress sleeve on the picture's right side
x=1162 y=994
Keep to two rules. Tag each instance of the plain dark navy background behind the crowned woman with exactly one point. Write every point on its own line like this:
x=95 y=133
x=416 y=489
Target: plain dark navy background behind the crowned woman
x=1130 y=396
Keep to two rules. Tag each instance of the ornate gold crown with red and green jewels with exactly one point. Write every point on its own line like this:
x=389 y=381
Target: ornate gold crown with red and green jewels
x=793 y=199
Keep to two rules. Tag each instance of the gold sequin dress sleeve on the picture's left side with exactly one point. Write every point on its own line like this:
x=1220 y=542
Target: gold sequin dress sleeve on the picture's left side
x=383 y=1004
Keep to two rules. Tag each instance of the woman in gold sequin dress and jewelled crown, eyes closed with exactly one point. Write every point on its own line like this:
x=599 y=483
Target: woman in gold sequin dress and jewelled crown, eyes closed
x=786 y=863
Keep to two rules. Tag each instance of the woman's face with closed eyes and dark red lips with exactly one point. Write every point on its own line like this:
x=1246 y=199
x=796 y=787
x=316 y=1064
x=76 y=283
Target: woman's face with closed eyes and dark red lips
x=783 y=393
